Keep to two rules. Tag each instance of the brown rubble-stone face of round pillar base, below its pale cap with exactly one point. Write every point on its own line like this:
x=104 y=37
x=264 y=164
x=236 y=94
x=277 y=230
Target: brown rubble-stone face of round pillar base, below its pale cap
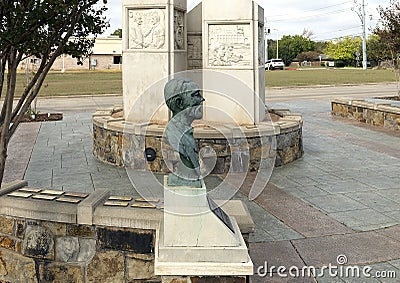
x=108 y=147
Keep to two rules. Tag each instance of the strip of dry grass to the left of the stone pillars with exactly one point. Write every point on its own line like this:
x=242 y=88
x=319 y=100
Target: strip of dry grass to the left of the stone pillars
x=77 y=83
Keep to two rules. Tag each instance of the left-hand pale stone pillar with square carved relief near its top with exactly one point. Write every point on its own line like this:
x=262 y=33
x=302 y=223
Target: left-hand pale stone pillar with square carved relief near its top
x=154 y=48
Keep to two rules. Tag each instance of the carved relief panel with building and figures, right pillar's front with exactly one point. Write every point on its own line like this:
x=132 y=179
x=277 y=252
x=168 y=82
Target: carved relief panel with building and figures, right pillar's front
x=229 y=45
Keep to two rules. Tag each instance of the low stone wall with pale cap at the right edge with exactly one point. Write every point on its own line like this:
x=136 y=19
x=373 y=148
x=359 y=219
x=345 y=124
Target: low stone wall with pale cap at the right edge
x=382 y=113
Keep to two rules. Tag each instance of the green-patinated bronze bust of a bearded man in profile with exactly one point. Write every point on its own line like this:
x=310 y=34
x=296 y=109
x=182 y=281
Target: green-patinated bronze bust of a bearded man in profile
x=183 y=97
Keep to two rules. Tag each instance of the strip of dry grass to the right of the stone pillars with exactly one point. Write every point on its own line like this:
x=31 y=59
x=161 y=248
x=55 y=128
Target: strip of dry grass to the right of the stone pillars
x=290 y=78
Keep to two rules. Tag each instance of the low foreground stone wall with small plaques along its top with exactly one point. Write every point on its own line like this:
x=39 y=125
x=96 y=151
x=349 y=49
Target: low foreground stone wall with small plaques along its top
x=55 y=241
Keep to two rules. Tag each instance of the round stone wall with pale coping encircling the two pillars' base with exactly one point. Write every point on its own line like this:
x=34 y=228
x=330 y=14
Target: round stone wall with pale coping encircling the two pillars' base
x=117 y=142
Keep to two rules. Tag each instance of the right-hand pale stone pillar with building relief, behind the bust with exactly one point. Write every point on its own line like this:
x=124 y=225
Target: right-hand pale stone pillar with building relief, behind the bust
x=233 y=44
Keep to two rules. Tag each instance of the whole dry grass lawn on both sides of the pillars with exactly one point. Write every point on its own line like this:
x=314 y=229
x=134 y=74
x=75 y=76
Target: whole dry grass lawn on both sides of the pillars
x=110 y=82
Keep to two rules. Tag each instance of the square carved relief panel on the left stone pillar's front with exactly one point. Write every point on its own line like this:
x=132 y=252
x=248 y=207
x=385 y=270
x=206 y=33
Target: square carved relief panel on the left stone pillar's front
x=147 y=29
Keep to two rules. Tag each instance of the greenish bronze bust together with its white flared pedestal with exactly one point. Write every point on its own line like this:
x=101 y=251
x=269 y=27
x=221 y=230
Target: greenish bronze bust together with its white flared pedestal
x=195 y=230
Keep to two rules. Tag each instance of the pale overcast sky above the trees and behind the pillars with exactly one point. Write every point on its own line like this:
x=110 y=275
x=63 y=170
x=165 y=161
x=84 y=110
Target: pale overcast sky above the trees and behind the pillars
x=327 y=20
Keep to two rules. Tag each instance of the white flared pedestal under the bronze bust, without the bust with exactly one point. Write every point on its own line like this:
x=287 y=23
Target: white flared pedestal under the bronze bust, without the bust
x=197 y=237
